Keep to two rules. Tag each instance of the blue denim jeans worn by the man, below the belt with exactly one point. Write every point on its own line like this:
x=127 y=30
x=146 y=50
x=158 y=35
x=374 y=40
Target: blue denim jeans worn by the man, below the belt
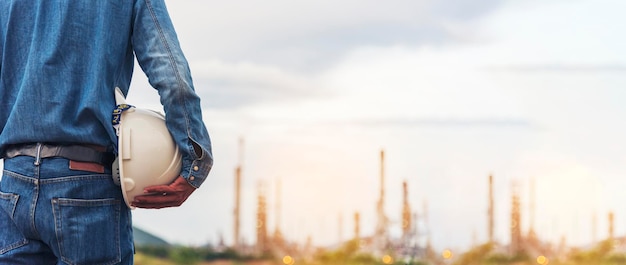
x=50 y=214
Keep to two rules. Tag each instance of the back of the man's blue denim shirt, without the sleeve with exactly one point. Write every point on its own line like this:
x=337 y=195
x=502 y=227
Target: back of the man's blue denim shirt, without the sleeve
x=60 y=61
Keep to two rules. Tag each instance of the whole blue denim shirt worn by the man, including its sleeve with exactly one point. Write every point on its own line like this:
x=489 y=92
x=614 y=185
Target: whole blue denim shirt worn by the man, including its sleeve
x=60 y=62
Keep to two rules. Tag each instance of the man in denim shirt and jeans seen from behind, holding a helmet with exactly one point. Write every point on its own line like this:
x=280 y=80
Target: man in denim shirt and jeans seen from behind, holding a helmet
x=60 y=62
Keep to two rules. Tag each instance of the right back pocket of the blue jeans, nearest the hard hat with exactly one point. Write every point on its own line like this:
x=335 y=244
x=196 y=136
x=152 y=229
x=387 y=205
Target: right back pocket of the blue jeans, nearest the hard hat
x=88 y=230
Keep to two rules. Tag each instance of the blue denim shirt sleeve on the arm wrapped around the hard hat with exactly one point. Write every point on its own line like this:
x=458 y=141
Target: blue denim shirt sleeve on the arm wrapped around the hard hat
x=159 y=54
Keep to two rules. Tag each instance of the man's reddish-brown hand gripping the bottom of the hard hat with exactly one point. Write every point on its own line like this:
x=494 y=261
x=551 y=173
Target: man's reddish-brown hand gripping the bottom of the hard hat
x=172 y=195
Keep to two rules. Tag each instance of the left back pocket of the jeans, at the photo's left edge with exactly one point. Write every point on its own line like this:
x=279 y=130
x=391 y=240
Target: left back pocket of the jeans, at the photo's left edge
x=10 y=236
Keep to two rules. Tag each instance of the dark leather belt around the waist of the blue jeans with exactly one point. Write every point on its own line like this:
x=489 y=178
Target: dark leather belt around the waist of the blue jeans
x=78 y=153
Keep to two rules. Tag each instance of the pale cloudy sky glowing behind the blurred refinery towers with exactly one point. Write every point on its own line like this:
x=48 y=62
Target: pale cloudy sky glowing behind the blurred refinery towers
x=453 y=91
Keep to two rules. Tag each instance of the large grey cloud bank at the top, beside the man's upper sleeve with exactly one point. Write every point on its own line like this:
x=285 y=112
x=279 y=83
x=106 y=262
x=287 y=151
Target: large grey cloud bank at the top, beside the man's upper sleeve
x=264 y=52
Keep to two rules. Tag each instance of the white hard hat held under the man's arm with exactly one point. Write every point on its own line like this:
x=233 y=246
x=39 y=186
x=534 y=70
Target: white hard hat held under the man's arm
x=147 y=154
